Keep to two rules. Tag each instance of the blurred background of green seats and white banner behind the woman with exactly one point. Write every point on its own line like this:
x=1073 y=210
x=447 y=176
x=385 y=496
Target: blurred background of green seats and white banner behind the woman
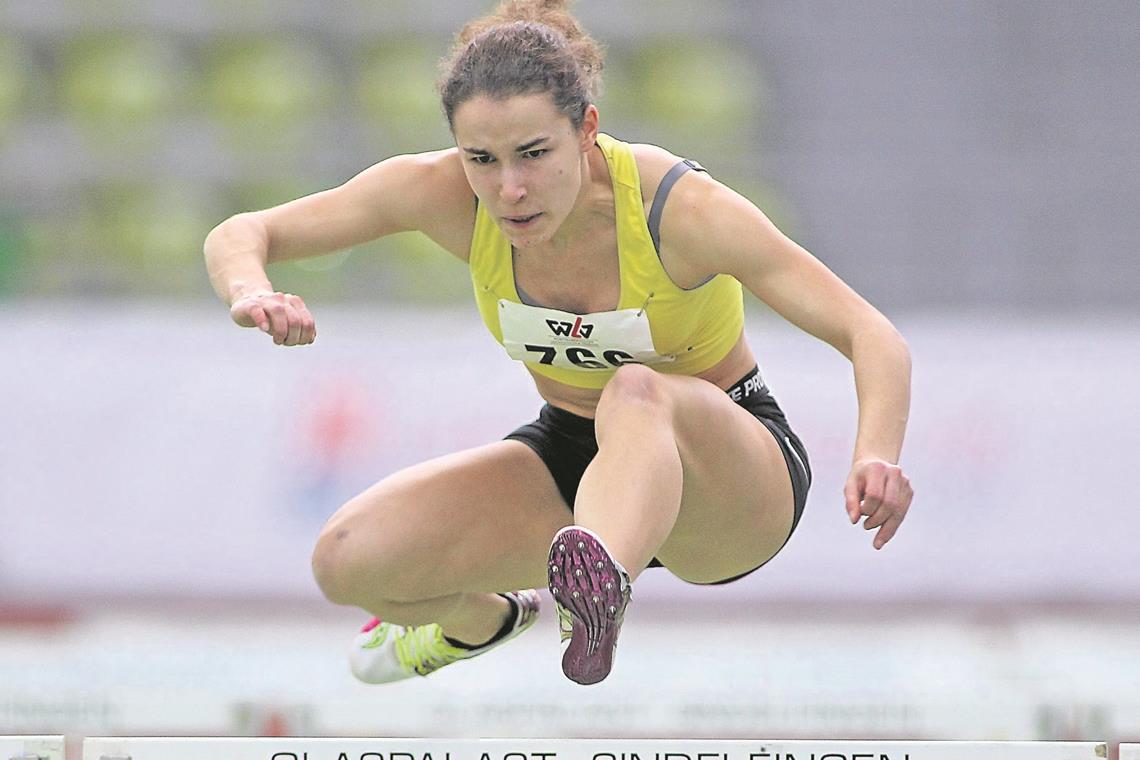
x=971 y=168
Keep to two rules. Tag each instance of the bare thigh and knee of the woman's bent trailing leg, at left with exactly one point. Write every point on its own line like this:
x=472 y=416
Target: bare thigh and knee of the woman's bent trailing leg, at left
x=479 y=520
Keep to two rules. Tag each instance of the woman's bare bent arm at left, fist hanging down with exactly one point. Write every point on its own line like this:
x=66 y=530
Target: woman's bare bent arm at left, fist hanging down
x=406 y=193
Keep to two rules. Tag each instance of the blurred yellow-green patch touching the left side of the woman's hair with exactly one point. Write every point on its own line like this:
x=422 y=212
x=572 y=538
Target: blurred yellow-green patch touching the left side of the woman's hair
x=396 y=93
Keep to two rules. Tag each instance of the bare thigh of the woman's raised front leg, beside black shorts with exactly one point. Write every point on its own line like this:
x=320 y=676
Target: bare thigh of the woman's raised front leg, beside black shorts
x=737 y=501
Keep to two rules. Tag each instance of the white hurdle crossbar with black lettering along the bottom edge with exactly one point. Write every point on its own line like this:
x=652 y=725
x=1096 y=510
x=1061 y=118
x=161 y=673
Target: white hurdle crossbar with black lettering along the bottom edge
x=568 y=749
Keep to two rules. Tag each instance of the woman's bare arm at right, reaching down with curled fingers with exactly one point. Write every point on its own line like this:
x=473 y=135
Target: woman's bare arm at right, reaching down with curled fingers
x=718 y=231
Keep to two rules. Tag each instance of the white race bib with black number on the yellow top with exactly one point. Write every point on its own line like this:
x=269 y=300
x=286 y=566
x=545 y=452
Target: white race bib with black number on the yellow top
x=602 y=341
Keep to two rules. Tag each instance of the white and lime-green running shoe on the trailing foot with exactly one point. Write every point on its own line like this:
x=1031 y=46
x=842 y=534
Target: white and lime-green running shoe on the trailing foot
x=386 y=652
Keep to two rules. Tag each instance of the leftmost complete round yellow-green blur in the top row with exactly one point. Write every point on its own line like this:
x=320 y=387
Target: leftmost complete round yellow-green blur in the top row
x=116 y=84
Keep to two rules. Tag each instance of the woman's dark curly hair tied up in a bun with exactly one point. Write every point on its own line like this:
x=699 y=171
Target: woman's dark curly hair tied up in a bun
x=525 y=47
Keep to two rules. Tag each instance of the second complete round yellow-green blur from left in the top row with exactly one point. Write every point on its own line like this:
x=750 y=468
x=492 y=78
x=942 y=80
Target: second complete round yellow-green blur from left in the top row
x=264 y=89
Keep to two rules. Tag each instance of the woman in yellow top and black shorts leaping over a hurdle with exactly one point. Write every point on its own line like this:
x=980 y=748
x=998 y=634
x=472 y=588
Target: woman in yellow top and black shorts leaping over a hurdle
x=615 y=273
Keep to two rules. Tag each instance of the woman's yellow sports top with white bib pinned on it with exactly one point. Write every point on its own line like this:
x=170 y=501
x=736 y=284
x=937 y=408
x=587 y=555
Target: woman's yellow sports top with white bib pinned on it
x=657 y=323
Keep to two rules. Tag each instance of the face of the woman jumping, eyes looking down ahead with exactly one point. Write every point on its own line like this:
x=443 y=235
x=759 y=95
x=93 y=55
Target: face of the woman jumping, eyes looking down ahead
x=525 y=162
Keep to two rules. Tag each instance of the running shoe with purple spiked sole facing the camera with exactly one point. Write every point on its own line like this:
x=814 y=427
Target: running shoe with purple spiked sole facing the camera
x=591 y=591
